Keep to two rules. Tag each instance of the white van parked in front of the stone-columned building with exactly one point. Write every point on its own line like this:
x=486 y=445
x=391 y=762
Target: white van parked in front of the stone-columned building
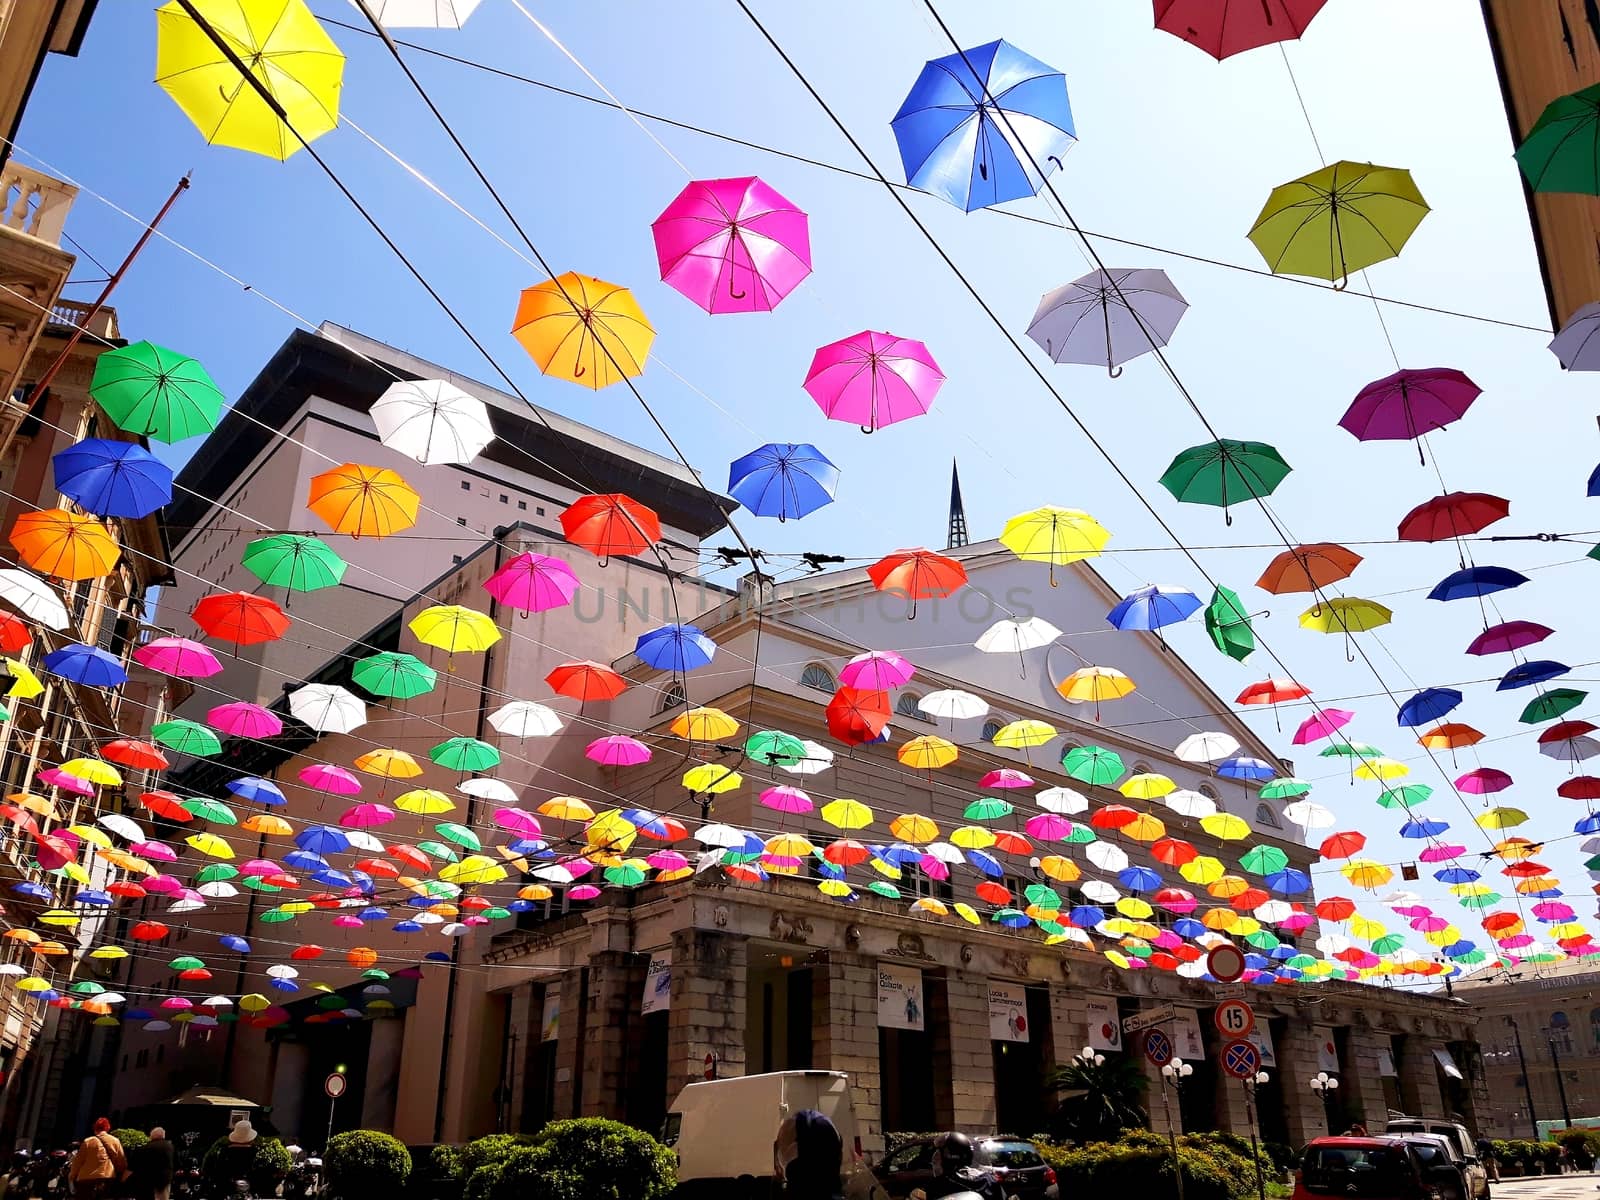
x=724 y=1132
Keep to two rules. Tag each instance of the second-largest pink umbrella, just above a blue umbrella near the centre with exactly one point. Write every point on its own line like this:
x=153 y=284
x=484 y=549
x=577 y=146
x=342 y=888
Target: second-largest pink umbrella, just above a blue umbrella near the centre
x=874 y=380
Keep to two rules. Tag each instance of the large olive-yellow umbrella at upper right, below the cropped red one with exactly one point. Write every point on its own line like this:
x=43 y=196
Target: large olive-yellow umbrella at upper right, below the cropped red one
x=1338 y=220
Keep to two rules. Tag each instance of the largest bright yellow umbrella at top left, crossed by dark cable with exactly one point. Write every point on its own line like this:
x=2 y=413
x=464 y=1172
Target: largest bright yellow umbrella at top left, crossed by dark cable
x=281 y=44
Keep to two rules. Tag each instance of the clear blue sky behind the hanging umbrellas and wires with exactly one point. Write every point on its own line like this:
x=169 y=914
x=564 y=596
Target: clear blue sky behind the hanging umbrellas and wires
x=1175 y=151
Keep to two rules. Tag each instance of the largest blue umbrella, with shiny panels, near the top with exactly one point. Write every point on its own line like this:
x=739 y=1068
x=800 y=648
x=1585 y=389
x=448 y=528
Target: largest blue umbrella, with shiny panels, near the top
x=959 y=129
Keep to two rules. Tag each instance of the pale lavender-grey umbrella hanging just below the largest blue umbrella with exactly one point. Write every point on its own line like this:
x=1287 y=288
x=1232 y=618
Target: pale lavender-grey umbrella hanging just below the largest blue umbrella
x=1108 y=318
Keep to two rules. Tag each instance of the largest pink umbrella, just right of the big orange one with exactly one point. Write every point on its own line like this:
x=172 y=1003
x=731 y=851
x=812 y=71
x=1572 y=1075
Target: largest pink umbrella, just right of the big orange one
x=734 y=246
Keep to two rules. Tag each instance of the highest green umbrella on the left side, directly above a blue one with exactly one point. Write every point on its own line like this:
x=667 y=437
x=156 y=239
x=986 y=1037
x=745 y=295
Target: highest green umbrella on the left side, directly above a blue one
x=150 y=390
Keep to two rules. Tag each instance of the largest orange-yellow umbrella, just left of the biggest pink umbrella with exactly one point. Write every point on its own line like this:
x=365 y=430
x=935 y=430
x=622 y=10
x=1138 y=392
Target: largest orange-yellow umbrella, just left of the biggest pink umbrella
x=583 y=330
